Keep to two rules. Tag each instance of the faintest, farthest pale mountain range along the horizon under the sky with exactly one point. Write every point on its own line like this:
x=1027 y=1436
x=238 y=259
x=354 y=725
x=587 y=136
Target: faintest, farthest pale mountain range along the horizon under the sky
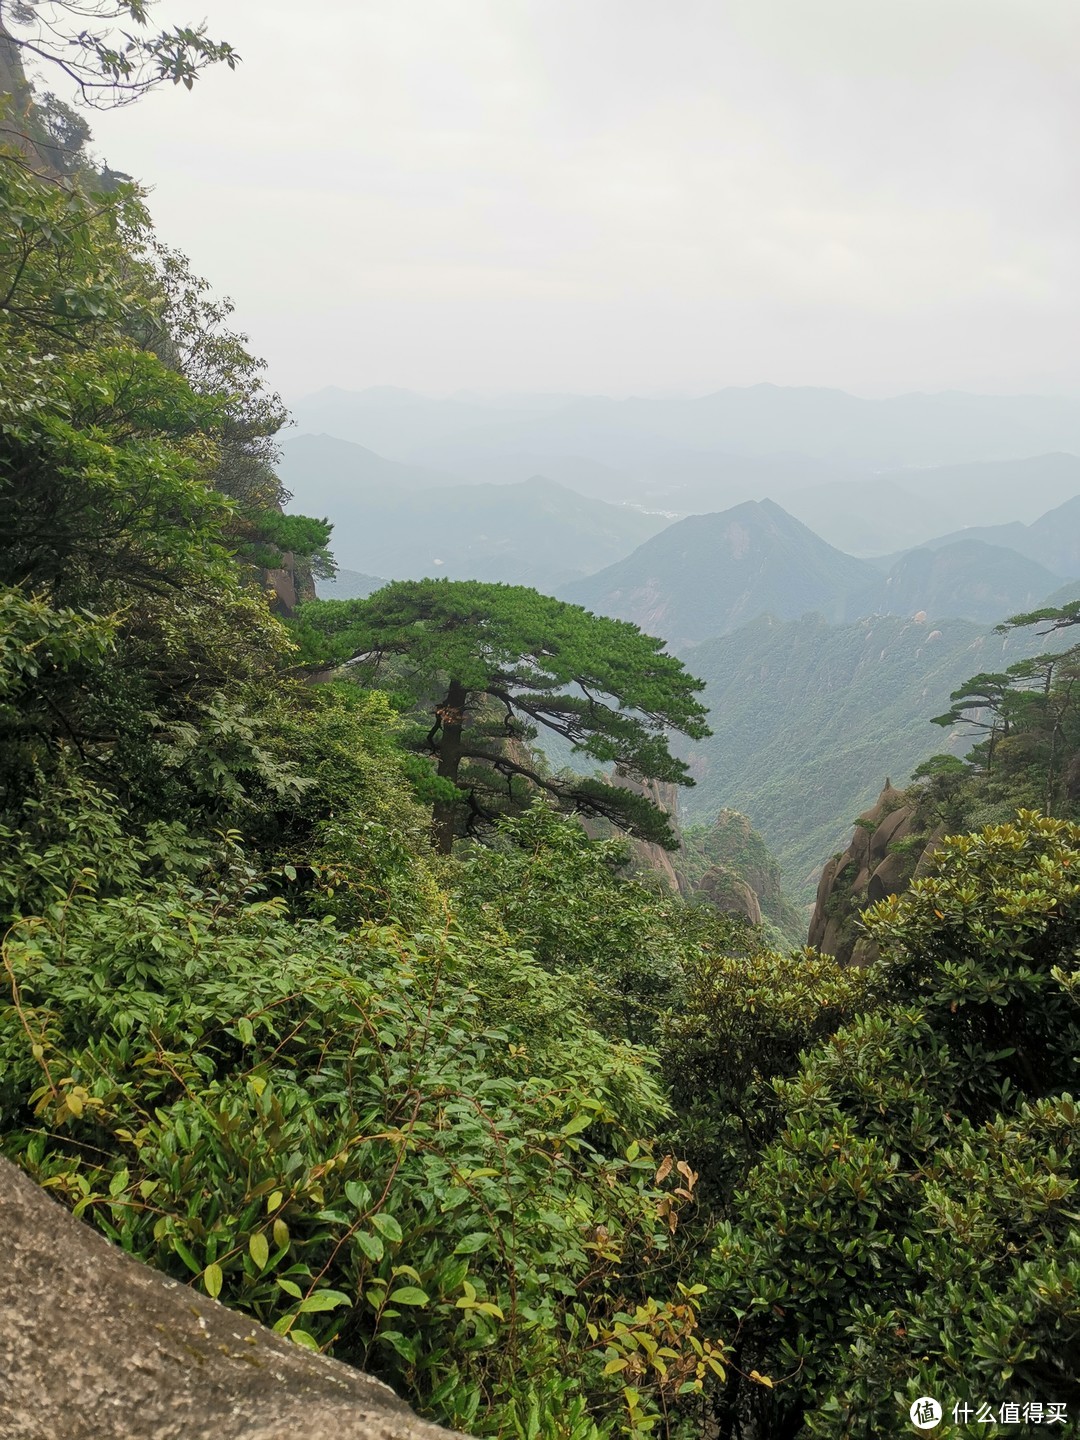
x=757 y=421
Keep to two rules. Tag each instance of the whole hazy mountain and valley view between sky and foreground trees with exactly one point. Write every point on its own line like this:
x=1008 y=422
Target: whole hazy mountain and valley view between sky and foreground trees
x=823 y=666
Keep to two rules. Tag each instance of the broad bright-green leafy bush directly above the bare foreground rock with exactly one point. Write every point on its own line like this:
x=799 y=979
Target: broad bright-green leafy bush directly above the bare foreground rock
x=329 y=1134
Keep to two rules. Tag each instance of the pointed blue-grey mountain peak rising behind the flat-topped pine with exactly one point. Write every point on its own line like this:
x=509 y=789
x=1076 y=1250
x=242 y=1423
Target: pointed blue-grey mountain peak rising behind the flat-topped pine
x=706 y=575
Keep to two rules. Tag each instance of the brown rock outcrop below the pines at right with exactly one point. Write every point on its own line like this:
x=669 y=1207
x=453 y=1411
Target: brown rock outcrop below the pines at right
x=886 y=853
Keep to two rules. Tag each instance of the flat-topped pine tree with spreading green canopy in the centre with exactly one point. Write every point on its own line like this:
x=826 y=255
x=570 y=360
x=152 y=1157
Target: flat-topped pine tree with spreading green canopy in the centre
x=492 y=665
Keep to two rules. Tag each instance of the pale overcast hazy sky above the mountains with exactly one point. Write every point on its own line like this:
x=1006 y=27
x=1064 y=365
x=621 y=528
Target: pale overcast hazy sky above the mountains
x=624 y=197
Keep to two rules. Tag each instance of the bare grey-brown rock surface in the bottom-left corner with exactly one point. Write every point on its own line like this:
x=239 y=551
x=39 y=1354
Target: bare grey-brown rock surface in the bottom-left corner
x=97 y=1347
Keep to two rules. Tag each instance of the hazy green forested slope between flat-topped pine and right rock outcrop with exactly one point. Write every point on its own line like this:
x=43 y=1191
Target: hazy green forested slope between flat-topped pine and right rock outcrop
x=809 y=719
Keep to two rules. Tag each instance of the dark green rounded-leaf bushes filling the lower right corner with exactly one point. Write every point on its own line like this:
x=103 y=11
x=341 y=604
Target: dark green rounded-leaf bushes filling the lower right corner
x=912 y=1230
